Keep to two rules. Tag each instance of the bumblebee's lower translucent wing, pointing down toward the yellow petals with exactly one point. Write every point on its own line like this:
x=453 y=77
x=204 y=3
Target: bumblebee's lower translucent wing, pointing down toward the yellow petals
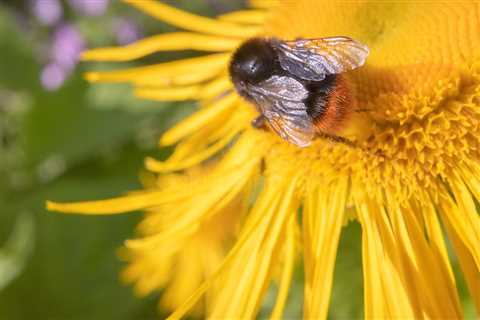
x=280 y=100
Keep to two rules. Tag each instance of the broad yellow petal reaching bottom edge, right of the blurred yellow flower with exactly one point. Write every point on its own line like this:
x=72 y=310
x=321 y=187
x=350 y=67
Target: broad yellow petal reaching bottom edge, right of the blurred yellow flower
x=249 y=276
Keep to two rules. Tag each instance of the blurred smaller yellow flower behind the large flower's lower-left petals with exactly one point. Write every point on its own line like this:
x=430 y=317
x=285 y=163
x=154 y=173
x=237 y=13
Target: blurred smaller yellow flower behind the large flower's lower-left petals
x=196 y=253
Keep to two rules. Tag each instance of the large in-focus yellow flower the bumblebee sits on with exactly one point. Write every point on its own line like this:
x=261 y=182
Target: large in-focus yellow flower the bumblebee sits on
x=414 y=181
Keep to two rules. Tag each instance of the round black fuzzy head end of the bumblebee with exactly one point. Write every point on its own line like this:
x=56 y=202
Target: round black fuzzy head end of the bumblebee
x=253 y=62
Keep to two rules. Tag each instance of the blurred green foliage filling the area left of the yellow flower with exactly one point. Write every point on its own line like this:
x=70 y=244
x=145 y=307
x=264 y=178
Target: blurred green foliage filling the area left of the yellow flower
x=76 y=143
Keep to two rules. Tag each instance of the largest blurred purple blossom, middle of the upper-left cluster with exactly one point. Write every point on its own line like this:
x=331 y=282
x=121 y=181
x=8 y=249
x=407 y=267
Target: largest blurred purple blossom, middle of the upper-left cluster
x=67 y=44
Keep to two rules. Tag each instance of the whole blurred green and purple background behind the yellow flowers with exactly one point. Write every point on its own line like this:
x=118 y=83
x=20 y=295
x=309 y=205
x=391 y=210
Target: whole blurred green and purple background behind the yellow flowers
x=64 y=139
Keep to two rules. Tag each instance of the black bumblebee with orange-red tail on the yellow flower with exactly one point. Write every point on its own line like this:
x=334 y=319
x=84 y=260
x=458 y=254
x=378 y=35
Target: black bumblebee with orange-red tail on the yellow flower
x=297 y=86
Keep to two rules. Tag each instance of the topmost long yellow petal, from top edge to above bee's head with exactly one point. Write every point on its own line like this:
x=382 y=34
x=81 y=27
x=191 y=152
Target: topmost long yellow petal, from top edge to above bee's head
x=191 y=21
